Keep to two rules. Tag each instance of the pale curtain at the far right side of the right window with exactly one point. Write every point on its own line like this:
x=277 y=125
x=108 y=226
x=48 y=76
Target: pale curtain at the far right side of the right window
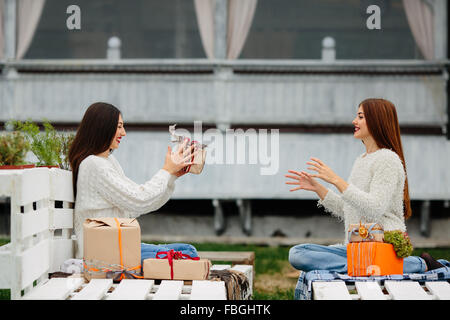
x=421 y=21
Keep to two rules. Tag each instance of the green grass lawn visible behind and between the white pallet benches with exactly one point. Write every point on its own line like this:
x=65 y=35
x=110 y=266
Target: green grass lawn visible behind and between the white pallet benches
x=275 y=278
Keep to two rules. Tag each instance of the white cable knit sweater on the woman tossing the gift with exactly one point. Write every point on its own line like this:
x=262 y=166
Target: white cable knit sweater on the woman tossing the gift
x=103 y=190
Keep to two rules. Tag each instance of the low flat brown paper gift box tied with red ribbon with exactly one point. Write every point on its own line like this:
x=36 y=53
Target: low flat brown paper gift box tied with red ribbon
x=183 y=269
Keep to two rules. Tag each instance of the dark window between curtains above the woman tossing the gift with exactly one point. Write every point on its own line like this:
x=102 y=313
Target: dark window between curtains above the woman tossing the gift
x=147 y=29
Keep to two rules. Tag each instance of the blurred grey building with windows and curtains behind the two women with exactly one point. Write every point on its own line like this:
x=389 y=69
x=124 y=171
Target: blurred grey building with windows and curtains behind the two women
x=300 y=66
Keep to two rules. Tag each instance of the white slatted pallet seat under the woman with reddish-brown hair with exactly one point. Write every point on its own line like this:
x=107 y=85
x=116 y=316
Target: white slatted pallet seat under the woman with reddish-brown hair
x=372 y=290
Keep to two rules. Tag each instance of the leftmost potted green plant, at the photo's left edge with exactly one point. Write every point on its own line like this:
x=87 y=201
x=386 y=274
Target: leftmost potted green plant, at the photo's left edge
x=13 y=150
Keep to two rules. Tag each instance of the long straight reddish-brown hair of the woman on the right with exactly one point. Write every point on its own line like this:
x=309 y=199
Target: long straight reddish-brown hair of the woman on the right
x=382 y=123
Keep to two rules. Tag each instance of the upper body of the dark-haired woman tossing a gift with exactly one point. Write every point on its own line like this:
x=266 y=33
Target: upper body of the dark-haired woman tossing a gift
x=99 y=183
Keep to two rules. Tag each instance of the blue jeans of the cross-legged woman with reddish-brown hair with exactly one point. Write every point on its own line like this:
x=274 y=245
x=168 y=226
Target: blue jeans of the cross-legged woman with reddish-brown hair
x=307 y=257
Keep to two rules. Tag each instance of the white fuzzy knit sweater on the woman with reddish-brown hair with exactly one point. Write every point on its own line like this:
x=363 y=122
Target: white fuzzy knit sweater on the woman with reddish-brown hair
x=374 y=193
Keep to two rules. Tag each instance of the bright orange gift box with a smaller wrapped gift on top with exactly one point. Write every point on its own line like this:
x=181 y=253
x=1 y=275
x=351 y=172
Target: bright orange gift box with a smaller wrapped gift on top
x=368 y=254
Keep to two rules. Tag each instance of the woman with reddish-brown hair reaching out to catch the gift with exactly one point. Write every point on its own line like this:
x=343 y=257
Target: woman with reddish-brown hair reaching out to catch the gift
x=376 y=191
